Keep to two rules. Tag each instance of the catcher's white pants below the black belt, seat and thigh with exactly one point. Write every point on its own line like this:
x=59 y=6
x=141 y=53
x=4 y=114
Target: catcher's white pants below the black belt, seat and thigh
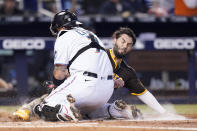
x=90 y=93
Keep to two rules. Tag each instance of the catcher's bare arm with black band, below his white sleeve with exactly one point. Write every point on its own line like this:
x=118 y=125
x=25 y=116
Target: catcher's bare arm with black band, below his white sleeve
x=60 y=73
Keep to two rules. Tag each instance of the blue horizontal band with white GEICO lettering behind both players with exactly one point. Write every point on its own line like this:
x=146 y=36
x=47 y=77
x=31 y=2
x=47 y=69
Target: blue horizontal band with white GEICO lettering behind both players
x=47 y=43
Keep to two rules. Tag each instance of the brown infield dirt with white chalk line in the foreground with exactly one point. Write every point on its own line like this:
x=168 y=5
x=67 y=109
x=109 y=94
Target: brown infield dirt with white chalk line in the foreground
x=178 y=123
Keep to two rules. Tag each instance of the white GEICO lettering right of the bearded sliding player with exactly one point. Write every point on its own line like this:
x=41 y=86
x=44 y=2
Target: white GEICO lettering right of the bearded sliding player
x=174 y=44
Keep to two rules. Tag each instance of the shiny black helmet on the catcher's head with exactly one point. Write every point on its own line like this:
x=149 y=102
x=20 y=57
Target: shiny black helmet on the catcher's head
x=64 y=18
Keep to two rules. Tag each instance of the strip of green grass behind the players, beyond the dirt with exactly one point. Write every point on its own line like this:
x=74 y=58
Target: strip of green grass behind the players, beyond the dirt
x=179 y=108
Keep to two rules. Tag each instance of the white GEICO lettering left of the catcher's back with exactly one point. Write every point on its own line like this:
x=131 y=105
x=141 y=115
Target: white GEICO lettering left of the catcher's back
x=19 y=44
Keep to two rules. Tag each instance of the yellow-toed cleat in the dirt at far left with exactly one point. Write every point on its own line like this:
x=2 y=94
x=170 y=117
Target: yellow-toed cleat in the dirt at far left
x=22 y=114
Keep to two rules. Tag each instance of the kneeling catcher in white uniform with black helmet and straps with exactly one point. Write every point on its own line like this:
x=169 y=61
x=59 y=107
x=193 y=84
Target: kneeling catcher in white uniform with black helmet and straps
x=88 y=83
